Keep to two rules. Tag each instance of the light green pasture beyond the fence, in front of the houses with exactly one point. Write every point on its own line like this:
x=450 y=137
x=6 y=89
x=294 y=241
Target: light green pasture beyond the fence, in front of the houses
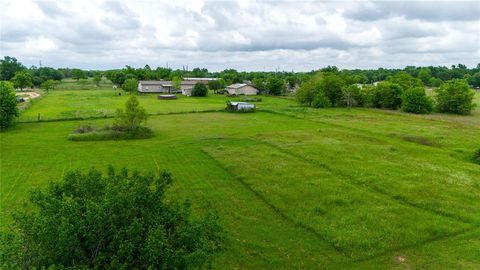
x=74 y=104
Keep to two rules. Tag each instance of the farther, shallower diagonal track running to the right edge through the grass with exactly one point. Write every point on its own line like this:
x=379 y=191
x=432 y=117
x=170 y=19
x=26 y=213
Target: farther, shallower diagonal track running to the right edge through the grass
x=345 y=178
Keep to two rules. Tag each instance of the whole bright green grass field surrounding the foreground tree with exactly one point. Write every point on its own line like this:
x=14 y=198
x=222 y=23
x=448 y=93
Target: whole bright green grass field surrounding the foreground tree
x=294 y=188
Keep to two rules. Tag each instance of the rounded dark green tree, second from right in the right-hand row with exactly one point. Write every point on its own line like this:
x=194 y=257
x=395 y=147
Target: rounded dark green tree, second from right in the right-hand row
x=415 y=100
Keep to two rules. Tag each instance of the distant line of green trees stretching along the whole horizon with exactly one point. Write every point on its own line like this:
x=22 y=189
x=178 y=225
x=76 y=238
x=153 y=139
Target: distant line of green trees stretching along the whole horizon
x=430 y=76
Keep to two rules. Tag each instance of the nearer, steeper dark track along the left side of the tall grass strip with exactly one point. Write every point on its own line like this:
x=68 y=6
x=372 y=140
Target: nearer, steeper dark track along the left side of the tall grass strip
x=276 y=210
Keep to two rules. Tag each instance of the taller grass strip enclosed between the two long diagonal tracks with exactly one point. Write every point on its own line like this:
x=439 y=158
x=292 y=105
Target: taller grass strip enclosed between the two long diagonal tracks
x=357 y=222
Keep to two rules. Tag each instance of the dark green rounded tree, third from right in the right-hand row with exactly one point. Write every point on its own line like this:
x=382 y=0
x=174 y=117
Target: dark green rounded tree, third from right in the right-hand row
x=387 y=95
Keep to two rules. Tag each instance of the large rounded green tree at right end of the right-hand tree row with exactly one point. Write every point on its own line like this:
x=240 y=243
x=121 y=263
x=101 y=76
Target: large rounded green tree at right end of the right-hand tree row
x=455 y=96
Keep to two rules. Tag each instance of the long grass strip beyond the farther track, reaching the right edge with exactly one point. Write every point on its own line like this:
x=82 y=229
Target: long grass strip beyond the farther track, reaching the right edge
x=436 y=180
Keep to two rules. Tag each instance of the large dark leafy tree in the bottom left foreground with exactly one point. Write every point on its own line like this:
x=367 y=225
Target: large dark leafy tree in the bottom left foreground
x=113 y=221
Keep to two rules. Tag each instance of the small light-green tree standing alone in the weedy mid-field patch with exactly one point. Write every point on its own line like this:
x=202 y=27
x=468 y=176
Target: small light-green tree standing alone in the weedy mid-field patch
x=133 y=116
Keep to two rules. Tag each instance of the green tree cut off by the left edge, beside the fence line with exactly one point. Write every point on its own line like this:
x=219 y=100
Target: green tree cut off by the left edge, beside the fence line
x=8 y=105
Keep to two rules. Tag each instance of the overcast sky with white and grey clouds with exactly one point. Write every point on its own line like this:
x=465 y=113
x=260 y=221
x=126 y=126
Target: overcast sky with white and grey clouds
x=245 y=35
